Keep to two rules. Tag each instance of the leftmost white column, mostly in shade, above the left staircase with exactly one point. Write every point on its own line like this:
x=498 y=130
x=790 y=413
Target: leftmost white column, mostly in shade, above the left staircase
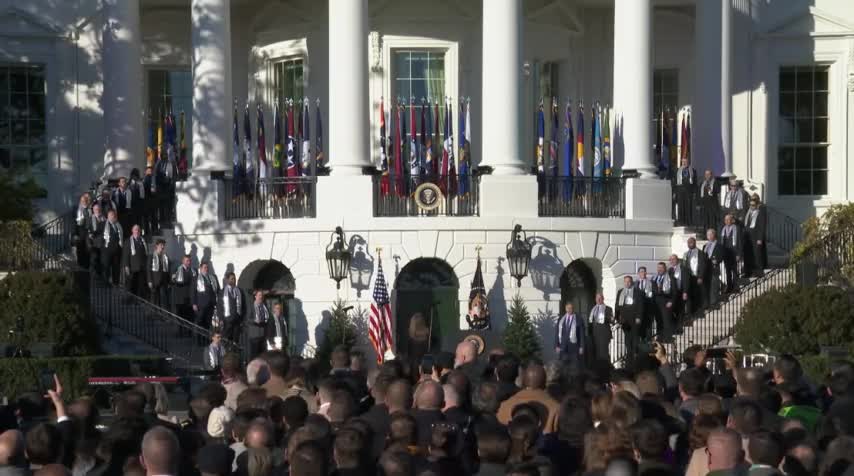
x=122 y=97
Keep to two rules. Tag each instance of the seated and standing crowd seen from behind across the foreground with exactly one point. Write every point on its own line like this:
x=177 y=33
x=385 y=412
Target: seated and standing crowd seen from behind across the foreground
x=463 y=413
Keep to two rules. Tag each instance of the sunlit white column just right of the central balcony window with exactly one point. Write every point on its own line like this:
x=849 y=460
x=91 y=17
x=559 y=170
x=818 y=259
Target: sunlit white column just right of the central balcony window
x=502 y=87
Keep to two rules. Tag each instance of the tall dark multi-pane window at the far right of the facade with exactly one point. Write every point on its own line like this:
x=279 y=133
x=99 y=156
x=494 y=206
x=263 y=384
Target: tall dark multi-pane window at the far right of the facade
x=803 y=140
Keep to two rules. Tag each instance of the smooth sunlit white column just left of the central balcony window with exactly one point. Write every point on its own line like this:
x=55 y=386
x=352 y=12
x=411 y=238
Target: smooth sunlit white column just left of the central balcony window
x=348 y=87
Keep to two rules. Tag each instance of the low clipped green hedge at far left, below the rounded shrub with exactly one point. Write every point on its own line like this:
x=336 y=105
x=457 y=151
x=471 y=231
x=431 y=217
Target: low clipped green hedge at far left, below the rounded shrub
x=23 y=375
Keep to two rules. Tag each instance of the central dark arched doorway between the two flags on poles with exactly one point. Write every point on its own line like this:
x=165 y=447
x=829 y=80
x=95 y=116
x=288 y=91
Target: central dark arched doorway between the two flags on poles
x=428 y=286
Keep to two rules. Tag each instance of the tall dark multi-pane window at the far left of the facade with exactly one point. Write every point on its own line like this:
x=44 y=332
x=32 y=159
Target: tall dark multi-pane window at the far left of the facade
x=23 y=144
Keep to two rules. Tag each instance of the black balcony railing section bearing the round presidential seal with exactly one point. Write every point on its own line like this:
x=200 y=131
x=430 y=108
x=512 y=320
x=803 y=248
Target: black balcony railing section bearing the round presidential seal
x=459 y=197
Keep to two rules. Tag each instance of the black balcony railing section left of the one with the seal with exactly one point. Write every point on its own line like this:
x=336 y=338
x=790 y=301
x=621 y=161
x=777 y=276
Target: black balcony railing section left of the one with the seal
x=280 y=197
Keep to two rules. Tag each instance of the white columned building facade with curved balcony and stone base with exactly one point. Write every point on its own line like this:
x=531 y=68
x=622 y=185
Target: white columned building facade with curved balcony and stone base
x=769 y=85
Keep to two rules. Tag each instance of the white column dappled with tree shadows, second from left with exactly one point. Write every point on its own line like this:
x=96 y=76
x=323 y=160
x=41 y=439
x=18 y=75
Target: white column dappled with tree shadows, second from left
x=212 y=99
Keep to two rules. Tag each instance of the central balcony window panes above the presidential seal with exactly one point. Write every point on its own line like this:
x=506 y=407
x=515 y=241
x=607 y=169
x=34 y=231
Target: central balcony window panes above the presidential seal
x=418 y=74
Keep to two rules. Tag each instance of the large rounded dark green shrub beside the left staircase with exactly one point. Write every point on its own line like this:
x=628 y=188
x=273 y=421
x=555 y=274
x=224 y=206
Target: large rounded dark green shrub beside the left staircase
x=54 y=307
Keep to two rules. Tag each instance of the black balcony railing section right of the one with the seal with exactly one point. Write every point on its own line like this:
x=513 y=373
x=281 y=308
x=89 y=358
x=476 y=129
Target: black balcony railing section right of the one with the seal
x=600 y=197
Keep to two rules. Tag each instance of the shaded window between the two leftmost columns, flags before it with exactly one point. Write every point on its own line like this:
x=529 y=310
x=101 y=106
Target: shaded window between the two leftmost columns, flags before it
x=171 y=90
